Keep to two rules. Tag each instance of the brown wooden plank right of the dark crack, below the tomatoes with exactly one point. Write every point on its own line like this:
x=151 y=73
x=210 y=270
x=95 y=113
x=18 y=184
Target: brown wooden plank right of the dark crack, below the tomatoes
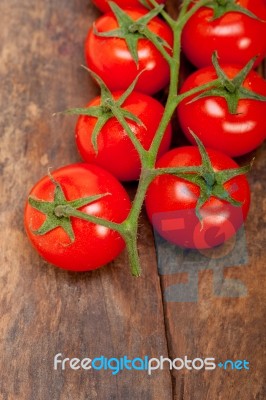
x=216 y=325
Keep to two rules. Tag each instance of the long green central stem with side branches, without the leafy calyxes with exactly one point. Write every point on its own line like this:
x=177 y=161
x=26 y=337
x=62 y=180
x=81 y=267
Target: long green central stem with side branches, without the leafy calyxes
x=129 y=228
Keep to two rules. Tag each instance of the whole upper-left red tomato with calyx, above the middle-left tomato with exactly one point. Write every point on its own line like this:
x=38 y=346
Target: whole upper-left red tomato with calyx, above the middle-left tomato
x=117 y=57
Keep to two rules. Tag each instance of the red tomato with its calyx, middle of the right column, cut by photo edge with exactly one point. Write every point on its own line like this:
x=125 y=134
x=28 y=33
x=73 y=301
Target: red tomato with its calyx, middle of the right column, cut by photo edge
x=229 y=118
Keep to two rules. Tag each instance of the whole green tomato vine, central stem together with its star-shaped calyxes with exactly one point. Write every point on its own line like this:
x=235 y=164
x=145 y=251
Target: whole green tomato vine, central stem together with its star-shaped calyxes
x=210 y=182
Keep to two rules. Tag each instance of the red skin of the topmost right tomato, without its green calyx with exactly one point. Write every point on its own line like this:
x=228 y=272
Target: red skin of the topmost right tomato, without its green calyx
x=236 y=37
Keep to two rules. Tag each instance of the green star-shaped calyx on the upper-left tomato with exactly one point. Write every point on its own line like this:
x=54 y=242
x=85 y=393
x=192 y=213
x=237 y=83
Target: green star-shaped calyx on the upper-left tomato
x=131 y=31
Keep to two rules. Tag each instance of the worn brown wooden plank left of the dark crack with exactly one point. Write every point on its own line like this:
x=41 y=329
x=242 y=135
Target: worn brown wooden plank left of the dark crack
x=45 y=311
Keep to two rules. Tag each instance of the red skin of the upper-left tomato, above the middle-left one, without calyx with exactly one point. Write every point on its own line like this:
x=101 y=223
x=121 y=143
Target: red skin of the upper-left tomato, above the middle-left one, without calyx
x=112 y=61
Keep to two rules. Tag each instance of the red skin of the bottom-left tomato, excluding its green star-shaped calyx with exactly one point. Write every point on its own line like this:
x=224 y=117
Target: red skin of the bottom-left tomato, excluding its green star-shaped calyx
x=94 y=245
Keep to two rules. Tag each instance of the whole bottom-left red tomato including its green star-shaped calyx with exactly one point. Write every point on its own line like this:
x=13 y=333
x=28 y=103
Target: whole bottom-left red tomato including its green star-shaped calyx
x=70 y=242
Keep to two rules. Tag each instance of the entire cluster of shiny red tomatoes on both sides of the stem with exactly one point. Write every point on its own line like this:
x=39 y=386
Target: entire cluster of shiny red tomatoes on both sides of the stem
x=117 y=56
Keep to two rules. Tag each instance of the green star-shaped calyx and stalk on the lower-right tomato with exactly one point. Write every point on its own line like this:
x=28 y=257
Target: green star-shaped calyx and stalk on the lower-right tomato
x=210 y=182
